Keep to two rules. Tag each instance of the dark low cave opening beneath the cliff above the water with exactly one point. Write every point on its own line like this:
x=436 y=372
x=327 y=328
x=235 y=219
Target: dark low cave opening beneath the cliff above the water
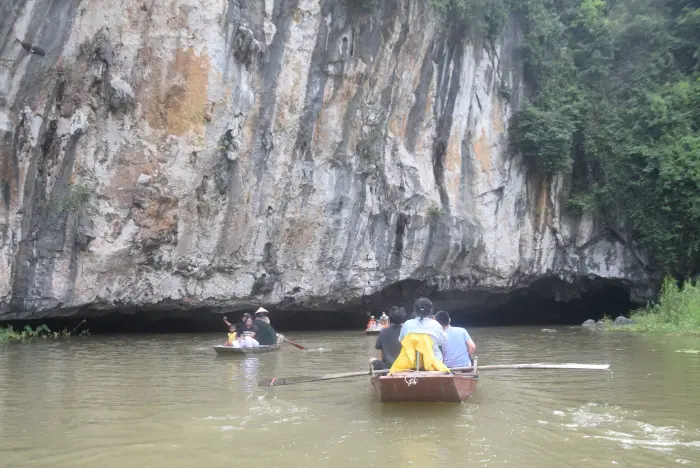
x=547 y=302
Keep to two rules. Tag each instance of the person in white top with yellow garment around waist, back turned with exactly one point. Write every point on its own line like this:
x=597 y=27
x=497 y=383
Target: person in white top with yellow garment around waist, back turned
x=423 y=335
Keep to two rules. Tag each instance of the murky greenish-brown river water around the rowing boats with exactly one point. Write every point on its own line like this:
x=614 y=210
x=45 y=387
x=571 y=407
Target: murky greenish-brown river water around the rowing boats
x=169 y=401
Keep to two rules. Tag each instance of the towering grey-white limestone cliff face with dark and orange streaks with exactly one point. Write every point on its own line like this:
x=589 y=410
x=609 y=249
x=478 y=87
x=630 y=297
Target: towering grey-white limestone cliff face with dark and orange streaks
x=296 y=153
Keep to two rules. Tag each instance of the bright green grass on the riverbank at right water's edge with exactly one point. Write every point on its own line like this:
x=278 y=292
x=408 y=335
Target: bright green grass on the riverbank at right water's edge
x=677 y=311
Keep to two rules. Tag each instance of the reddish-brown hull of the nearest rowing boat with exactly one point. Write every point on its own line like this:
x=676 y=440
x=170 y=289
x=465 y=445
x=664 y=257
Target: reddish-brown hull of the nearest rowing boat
x=425 y=387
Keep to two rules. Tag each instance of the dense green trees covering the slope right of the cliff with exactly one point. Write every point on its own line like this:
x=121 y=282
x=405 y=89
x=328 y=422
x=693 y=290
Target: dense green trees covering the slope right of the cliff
x=615 y=104
